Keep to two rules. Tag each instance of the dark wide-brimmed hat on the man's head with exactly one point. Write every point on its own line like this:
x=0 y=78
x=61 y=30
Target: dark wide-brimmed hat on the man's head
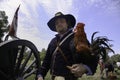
x=69 y=18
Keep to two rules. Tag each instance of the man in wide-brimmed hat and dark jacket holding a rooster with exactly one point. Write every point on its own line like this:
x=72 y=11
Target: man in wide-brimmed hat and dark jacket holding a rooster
x=61 y=57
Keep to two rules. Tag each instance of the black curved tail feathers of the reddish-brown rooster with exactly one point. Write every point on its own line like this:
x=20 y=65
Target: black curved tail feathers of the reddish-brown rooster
x=100 y=46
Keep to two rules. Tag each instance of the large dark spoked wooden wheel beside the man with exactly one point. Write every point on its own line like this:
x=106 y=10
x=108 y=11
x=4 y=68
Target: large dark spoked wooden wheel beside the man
x=19 y=59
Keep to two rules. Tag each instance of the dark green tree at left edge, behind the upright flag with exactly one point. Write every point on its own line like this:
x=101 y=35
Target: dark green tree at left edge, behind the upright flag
x=3 y=24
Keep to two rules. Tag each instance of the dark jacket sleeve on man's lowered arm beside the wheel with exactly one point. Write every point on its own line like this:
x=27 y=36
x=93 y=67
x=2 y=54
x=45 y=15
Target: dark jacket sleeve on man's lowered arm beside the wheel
x=46 y=62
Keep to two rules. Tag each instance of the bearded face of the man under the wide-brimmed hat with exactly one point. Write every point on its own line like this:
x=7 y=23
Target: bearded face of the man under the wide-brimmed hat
x=61 y=25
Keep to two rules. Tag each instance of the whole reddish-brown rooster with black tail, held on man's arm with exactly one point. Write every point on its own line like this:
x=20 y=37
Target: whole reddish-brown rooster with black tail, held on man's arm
x=98 y=45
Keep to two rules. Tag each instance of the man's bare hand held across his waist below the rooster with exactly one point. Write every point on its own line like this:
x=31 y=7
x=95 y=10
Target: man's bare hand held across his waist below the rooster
x=77 y=69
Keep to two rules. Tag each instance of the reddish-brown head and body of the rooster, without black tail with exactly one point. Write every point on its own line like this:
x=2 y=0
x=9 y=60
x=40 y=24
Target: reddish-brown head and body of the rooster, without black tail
x=80 y=40
